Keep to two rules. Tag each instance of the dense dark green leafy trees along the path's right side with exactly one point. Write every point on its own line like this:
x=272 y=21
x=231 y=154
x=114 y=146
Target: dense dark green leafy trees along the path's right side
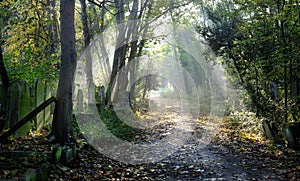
x=258 y=41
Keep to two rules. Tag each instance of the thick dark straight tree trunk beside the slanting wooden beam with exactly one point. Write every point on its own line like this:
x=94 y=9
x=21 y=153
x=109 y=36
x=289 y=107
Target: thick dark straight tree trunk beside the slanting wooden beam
x=62 y=120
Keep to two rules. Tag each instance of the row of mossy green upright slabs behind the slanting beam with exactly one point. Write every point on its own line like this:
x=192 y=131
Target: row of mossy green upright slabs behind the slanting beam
x=22 y=98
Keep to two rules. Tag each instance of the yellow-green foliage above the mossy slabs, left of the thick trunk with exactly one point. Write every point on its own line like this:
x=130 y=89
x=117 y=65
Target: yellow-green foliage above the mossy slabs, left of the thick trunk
x=30 y=44
